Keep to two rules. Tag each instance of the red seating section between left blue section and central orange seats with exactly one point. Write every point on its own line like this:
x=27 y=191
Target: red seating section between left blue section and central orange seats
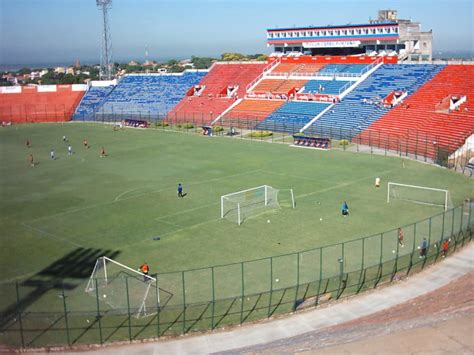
x=216 y=92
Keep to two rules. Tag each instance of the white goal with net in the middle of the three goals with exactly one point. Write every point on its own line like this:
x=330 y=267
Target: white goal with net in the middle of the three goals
x=241 y=205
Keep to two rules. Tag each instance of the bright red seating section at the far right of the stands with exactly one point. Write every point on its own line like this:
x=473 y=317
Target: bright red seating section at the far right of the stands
x=434 y=129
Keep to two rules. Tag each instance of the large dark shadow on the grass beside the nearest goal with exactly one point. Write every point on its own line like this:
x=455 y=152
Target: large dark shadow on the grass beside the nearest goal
x=74 y=267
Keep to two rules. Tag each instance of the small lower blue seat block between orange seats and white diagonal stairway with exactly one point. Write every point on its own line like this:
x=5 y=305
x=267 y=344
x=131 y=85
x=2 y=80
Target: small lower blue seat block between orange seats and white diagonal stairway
x=292 y=116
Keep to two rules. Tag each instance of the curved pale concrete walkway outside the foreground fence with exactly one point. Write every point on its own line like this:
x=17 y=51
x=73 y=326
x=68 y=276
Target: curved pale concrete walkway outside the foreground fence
x=429 y=280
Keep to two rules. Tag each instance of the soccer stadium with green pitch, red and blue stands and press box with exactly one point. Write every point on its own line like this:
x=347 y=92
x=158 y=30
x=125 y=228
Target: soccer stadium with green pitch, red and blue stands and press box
x=102 y=247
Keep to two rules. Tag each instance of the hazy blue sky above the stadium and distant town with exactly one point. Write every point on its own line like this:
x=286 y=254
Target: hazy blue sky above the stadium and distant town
x=50 y=31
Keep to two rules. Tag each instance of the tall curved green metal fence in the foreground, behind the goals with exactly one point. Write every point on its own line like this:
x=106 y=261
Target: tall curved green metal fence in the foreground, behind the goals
x=57 y=312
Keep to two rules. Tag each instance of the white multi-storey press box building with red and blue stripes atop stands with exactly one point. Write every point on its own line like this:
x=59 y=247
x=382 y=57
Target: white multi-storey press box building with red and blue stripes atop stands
x=385 y=35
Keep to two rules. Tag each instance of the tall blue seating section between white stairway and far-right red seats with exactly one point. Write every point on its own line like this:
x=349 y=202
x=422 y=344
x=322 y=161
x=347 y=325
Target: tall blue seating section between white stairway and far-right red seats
x=362 y=106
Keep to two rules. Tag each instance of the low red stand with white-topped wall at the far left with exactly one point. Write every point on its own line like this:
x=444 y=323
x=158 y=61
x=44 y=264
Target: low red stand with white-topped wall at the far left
x=43 y=103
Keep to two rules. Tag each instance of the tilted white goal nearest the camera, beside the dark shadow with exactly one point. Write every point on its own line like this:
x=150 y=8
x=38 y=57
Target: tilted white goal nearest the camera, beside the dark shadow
x=123 y=288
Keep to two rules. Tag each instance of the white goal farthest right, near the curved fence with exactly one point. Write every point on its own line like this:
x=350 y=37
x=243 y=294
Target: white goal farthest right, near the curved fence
x=419 y=194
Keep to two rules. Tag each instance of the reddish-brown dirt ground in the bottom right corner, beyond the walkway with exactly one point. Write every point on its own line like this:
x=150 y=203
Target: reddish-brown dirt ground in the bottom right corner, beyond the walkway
x=440 y=322
